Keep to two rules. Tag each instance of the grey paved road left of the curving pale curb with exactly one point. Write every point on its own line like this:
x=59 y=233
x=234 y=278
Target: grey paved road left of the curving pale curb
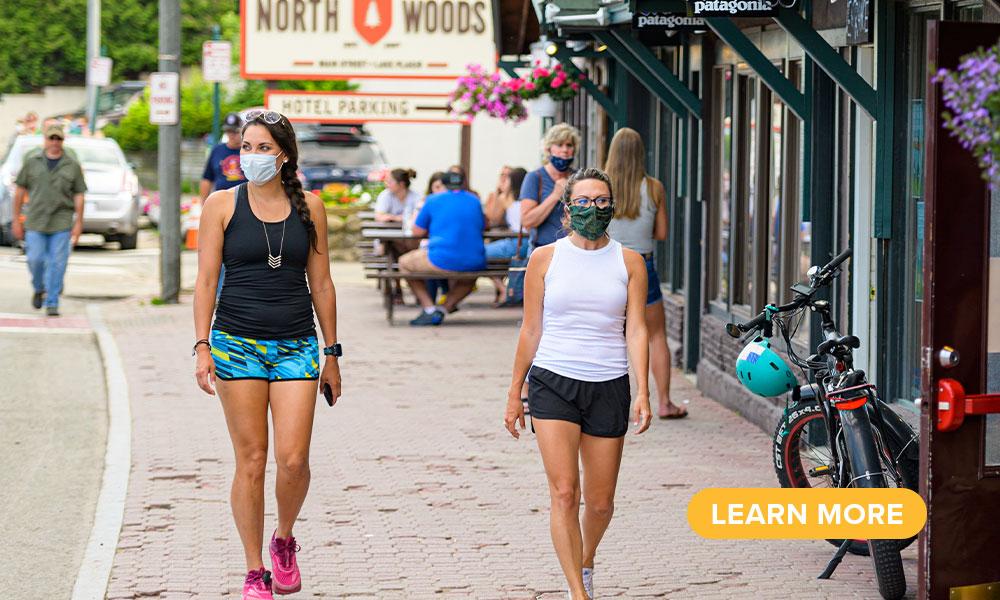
x=54 y=423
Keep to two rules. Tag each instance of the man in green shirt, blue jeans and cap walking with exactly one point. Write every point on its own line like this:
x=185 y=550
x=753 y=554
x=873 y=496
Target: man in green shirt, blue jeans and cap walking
x=53 y=182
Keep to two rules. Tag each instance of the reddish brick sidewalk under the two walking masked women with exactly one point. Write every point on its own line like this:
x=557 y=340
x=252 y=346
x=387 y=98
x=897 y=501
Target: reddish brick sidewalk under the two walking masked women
x=419 y=492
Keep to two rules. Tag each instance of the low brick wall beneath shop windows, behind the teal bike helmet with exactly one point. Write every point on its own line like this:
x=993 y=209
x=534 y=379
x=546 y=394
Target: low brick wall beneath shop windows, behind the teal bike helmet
x=717 y=380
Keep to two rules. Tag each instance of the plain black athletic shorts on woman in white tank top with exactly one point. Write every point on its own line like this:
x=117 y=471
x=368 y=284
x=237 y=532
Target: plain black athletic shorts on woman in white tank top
x=600 y=408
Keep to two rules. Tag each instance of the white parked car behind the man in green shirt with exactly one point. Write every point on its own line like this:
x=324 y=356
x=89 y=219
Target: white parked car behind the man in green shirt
x=111 y=204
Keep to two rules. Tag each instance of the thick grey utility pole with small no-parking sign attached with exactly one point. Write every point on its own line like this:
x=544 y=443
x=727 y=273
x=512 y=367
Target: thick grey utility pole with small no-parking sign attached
x=168 y=161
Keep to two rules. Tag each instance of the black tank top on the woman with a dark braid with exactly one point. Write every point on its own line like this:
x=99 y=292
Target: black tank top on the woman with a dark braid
x=259 y=302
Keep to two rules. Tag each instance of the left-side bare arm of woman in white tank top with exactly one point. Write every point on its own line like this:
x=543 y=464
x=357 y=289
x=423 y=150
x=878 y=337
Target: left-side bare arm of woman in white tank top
x=530 y=336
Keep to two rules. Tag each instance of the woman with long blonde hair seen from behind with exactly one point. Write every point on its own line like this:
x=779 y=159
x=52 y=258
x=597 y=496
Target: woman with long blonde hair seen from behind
x=640 y=220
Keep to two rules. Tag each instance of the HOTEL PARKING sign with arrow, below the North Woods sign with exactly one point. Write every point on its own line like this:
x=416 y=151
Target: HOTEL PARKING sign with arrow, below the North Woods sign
x=355 y=107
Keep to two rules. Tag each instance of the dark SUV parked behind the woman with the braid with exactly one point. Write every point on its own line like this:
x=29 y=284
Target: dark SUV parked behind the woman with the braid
x=334 y=157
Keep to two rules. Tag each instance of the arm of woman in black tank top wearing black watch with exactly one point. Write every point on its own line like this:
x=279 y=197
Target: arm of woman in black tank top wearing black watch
x=324 y=295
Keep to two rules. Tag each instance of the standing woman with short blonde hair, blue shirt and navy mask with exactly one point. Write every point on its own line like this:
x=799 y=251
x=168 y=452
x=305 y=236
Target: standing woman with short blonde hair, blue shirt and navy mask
x=542 y=190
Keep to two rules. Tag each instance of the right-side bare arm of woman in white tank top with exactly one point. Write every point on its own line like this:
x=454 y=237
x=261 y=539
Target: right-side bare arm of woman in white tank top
x=637 y=337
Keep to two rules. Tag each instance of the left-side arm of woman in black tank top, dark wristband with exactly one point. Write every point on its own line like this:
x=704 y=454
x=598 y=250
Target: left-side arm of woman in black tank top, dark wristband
x=211 y=231
